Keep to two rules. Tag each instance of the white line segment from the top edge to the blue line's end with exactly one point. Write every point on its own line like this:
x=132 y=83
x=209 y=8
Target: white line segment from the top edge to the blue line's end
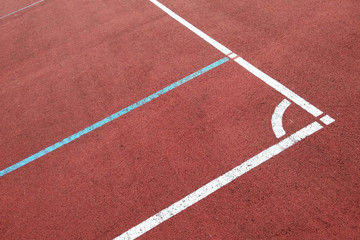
x=201 y=34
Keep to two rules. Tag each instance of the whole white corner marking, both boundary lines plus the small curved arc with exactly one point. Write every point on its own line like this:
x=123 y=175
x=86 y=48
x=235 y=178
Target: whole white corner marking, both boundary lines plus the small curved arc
x=253 y=162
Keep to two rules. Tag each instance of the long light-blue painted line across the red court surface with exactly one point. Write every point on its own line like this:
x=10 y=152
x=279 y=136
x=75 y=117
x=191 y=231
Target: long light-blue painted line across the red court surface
x=112 y=117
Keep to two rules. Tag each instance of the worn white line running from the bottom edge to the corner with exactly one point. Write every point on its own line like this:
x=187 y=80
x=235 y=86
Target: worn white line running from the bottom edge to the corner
x=218 y=183
